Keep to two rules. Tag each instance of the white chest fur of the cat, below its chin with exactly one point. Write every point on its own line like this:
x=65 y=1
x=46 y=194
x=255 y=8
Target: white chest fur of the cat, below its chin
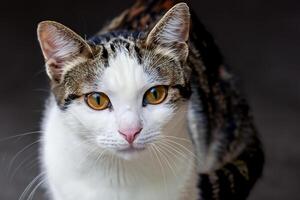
x=74 y=173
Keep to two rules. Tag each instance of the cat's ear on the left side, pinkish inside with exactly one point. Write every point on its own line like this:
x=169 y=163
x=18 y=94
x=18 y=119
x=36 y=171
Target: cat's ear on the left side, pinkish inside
x=60 y=46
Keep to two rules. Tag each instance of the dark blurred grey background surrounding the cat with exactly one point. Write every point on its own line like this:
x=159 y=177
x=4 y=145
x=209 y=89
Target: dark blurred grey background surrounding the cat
x=259 y=39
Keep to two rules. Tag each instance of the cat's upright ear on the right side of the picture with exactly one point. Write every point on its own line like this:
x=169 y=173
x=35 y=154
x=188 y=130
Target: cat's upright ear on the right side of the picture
x=172 y=31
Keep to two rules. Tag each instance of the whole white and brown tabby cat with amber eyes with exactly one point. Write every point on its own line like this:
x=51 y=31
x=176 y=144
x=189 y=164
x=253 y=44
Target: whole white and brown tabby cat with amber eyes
x=144 y=110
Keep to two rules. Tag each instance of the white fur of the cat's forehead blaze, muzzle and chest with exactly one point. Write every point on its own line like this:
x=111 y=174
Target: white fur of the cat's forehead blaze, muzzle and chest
x=81 y=147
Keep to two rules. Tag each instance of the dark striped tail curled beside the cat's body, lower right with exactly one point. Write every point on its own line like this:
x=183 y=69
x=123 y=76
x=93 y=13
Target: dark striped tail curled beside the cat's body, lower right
x=232 y=182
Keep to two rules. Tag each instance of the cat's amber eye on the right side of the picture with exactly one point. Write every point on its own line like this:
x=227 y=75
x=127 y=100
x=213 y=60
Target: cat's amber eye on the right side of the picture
x=155 y=95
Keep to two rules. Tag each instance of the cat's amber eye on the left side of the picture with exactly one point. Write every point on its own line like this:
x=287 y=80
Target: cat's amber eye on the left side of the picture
x=97 y=101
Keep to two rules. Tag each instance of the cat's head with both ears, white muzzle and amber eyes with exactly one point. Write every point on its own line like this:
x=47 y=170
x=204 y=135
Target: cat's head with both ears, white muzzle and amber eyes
x=123 y=92
